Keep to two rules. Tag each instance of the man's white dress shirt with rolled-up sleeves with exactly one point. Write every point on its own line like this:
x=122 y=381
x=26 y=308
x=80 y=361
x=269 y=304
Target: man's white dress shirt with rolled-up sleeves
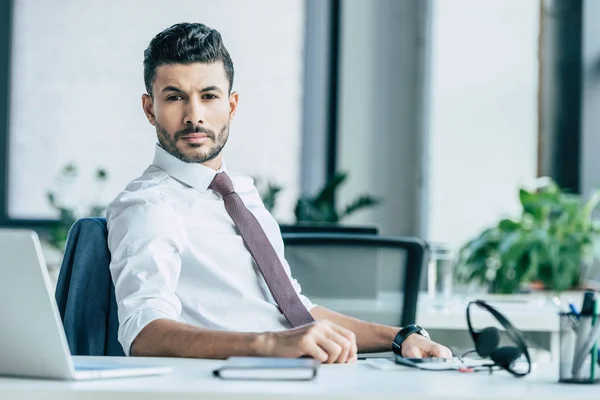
x=176 y=253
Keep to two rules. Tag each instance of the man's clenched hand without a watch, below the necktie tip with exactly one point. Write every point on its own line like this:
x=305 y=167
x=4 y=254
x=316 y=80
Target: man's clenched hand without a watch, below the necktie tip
x=323 y=341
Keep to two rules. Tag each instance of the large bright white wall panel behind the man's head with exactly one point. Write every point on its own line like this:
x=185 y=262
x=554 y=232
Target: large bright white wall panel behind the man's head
x=77 y=82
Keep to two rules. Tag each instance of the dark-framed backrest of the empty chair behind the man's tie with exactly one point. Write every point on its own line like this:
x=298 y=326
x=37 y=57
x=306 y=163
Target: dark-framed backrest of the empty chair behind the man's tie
x=376 y=278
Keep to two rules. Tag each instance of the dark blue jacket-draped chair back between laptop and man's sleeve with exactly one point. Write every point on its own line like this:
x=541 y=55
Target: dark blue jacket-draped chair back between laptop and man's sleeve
x=85 y=293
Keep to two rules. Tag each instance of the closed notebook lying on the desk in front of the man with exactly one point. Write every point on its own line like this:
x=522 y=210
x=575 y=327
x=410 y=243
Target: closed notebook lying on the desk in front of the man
x=265 y=368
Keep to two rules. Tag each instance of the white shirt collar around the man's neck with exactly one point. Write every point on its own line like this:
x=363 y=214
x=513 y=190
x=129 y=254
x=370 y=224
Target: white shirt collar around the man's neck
x=195 y=175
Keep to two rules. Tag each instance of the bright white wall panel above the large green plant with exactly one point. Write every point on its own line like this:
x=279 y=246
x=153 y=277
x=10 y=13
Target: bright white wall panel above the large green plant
x=483 y=113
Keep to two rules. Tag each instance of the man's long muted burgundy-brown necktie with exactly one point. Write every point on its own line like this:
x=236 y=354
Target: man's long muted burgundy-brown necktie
x=263 y=253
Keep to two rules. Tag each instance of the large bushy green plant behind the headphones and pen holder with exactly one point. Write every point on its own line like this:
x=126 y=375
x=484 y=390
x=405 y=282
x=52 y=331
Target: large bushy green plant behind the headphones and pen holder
x=550 y=243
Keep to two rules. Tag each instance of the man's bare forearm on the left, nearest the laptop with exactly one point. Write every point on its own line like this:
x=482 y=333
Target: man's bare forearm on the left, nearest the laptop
x=166 y=338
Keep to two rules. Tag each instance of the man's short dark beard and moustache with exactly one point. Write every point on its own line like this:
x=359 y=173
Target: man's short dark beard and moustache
x=193 y=152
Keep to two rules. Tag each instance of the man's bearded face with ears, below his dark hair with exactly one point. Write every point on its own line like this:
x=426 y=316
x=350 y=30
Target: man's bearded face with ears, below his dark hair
x=191 y=109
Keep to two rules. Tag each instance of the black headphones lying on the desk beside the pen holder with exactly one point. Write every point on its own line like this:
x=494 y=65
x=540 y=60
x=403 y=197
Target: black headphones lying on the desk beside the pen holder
x=487 y=341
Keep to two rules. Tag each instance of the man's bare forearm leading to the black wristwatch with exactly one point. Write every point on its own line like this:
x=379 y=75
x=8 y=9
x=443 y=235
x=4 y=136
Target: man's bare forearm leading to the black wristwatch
x=370 y=338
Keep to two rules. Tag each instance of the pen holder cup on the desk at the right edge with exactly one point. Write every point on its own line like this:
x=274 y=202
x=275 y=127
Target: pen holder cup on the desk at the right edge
x=578 y=349
